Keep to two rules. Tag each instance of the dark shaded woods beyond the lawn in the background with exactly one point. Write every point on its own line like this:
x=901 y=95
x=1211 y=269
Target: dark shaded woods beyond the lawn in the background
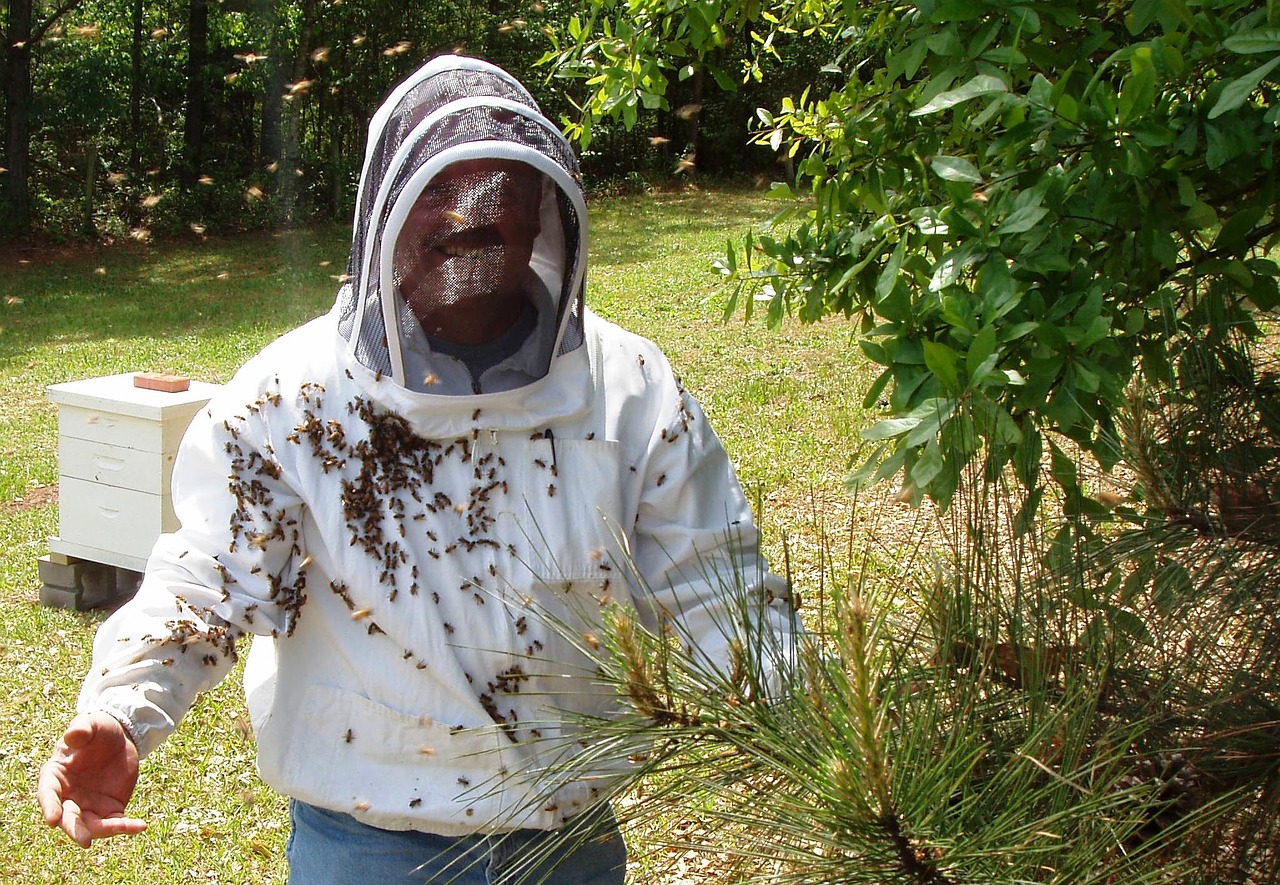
x=161 y=118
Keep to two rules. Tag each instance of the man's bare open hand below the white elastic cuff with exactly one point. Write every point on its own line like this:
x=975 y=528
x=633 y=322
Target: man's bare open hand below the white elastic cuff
x=89 y=779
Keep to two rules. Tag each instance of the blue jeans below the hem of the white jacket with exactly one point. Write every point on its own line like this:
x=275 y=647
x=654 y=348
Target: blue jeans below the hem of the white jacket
x=331 y=848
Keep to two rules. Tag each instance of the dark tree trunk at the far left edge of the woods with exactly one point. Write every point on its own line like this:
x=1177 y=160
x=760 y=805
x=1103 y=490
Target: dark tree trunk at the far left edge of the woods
x=17 y=194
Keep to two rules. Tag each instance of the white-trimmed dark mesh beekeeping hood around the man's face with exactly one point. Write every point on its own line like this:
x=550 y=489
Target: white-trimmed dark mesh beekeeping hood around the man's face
x=452 y=111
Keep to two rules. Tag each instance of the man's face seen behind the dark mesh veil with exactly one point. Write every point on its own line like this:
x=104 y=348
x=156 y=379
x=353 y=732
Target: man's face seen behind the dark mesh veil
x=463 y=257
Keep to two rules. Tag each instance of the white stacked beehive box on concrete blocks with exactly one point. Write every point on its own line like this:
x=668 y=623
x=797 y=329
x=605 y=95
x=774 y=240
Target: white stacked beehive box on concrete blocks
x=116 y=451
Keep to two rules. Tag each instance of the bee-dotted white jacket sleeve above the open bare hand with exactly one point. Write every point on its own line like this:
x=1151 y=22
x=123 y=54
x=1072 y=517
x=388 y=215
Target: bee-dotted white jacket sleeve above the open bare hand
x=235 y=567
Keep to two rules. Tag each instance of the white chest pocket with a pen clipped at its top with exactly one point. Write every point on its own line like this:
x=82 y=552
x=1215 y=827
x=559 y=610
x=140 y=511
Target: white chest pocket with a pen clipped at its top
x=566 y=509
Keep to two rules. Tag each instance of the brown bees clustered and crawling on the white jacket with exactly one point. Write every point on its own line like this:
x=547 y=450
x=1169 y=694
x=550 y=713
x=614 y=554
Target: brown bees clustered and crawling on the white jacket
x=386 y=476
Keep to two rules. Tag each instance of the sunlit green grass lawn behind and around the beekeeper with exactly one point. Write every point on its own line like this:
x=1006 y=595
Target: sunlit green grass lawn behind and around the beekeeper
x=787 y=404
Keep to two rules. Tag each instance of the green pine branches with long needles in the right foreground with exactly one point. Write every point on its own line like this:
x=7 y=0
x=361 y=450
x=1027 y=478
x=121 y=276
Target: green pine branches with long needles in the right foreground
x=1014 y=714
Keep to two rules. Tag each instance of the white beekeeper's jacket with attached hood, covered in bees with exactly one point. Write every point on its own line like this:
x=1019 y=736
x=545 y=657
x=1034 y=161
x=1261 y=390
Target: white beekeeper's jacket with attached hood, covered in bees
x=401 y=550
